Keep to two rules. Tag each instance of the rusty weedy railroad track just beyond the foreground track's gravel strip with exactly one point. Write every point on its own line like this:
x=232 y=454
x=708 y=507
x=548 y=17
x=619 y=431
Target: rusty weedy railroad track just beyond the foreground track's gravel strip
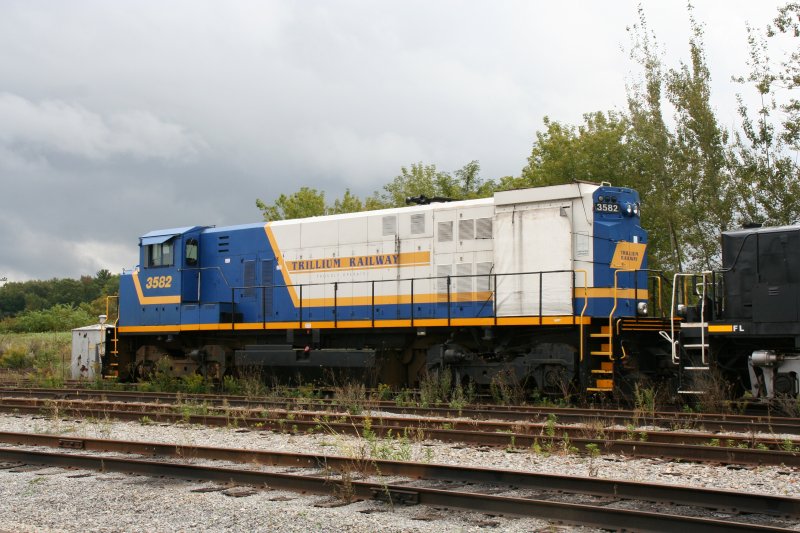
x=537 y=437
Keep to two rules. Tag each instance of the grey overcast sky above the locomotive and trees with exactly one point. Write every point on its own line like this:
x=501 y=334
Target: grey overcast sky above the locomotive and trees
x=117 y=118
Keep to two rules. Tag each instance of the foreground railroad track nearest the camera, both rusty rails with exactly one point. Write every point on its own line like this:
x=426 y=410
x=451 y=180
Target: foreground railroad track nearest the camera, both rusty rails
x=475 y=489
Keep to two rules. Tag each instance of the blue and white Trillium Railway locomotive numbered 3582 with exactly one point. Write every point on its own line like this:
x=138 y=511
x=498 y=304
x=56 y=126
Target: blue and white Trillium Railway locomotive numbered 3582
x=548 y=284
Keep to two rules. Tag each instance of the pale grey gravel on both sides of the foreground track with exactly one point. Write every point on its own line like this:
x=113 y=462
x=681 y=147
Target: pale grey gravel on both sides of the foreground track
x=54 y=499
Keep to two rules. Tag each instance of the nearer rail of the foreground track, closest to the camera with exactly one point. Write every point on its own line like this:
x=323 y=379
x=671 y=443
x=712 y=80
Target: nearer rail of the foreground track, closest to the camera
x=568 y=513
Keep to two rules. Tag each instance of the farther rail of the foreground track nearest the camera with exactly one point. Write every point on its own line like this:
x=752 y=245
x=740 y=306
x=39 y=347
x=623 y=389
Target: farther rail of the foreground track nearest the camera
x=722 y=500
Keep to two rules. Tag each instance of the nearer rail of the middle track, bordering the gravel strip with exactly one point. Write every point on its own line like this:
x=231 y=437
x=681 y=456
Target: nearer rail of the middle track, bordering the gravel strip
x=633 y=448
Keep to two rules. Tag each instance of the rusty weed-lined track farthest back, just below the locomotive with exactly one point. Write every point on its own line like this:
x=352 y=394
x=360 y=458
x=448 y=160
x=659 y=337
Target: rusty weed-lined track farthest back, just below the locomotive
x=764 y=423
